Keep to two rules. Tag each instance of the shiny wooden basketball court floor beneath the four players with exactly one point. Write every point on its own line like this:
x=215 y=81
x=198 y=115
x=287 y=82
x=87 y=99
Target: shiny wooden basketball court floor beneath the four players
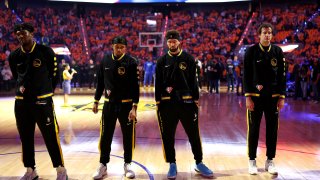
x=222 y=127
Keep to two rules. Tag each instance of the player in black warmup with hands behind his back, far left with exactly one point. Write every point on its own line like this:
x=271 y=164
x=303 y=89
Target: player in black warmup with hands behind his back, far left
x=34 y=68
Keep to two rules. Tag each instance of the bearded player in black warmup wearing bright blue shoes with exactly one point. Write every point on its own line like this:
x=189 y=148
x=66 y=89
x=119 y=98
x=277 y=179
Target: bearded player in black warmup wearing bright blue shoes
x=177 y=94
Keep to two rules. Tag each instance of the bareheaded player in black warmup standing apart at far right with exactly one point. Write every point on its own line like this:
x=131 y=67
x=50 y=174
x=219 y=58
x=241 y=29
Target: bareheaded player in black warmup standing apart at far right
x=265 y=87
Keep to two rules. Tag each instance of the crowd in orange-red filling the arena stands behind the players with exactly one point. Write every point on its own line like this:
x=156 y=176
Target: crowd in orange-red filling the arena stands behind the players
x=210 y=35
